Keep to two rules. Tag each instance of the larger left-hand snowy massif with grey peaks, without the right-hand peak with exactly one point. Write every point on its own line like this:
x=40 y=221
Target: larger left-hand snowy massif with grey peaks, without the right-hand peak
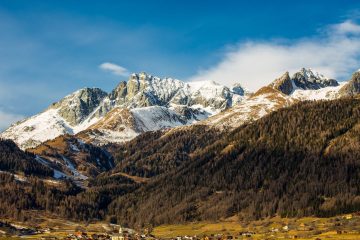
x=152 y=103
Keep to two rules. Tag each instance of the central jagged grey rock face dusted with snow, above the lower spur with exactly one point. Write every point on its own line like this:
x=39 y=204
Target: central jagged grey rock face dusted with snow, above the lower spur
x=144 y=90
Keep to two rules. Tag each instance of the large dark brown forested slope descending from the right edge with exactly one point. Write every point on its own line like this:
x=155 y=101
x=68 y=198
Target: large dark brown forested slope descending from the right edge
x=287 y=163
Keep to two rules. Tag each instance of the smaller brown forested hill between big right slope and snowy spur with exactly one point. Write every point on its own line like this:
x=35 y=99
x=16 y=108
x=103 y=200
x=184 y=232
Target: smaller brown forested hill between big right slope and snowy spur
x=160 y=152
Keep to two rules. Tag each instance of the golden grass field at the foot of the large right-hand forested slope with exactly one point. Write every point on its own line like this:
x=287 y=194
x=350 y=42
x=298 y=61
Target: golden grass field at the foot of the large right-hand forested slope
x=341 y=227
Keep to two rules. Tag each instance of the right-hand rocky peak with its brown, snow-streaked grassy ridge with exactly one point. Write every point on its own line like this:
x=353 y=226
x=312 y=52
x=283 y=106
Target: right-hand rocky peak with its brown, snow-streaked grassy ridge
x=282 y=92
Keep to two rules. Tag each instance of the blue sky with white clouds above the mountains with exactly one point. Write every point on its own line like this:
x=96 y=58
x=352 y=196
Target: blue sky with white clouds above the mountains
x=51 y=48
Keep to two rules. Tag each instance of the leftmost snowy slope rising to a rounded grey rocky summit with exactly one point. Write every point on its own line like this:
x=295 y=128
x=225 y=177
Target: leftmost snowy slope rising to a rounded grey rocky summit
x=66 y=116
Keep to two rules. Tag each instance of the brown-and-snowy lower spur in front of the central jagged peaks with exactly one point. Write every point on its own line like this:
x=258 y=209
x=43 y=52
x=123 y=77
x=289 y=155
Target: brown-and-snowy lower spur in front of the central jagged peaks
x=123 y=124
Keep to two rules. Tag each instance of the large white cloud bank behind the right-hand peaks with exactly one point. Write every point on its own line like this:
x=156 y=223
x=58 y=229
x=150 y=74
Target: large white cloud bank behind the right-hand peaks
x=335 y=53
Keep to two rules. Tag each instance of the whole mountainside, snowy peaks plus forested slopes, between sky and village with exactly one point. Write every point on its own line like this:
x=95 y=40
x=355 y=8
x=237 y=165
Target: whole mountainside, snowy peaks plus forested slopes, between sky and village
x=158 y=151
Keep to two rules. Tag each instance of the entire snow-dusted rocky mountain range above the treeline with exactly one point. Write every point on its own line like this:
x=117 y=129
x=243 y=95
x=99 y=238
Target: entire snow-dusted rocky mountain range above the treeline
x=148 y=103
